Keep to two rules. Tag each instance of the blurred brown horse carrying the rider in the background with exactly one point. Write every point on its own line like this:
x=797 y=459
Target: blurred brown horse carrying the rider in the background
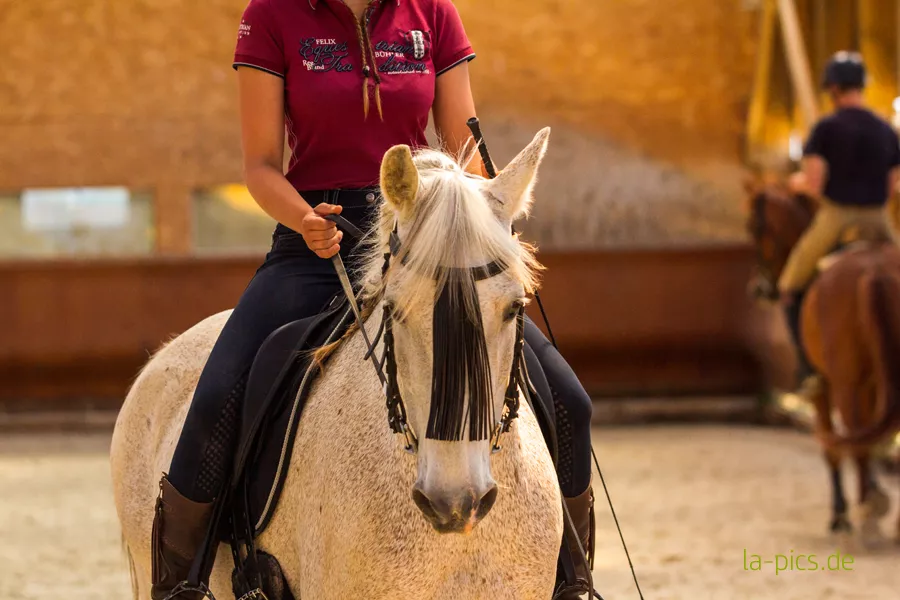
x=850 y=329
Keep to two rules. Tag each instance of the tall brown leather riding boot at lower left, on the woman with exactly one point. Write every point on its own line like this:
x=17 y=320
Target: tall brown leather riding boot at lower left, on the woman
x=179 y=528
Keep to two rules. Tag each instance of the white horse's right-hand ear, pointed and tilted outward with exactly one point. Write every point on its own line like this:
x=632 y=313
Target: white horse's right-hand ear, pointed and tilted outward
x=513 y=185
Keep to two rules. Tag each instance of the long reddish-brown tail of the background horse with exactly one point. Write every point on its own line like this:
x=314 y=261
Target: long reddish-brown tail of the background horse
x=880 y=319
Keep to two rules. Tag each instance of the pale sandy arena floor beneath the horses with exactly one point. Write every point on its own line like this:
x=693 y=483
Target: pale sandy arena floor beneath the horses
x=693 y=501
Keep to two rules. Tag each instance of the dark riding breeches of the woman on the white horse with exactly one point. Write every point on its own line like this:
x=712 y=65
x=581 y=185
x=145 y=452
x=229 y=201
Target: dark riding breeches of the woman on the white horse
x=293 y=283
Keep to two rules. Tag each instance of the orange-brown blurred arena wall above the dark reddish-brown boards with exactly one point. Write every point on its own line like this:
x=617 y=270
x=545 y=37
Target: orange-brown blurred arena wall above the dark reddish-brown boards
x=648 y=98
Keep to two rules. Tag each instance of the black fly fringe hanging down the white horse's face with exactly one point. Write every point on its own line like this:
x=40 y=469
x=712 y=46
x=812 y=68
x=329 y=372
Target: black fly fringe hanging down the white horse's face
x=460 y=364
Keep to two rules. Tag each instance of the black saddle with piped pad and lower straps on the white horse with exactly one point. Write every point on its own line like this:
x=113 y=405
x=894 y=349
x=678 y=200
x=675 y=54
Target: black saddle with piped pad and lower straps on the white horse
x=278 y=384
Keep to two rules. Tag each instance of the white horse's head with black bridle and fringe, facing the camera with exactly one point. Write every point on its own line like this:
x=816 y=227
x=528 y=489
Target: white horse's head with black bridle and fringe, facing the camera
x=454 y=299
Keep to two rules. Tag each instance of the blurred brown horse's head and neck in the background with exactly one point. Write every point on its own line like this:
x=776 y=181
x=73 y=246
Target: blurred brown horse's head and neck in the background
x=777 y=217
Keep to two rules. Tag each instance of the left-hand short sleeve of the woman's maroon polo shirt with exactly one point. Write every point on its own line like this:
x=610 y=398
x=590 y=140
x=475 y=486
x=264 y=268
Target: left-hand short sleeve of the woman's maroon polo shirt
x=259 y=43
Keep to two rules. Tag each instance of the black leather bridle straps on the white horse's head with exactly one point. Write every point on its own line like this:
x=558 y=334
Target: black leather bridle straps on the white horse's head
x=386 y=366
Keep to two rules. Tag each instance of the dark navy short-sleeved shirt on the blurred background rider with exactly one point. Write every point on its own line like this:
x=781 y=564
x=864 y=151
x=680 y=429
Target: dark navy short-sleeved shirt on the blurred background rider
x=860 y=149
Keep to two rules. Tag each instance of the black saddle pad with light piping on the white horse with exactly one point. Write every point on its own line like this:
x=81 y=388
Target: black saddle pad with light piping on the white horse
x=279 y=383
